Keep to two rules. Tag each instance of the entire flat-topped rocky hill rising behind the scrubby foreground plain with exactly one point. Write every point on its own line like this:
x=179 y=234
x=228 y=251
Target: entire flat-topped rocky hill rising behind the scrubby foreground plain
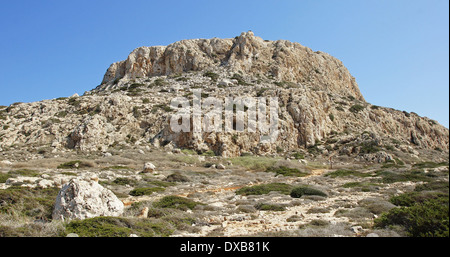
x=321 y=109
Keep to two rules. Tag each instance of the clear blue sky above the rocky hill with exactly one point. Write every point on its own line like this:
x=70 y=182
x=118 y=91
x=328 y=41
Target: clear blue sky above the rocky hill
x=398 y=50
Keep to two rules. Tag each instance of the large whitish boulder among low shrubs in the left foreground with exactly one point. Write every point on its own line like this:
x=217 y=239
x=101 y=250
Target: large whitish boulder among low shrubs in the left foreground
x=81 y=199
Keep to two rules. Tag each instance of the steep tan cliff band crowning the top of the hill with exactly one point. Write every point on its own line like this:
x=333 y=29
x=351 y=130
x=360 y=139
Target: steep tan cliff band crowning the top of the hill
x=281 y=59
